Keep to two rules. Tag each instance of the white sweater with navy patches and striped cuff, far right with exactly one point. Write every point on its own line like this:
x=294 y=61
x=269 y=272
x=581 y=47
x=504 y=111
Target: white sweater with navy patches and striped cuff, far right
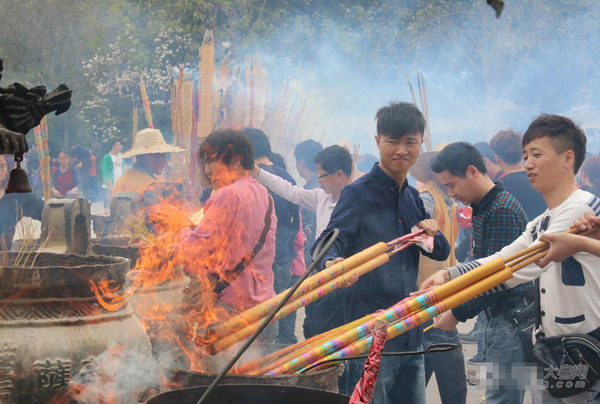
x=569 y=290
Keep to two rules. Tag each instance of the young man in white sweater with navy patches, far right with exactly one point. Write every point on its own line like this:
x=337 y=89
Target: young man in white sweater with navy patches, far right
x=553 y=151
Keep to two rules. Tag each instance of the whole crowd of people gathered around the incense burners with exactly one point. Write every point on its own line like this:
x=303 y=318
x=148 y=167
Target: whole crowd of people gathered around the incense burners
x=477 y=201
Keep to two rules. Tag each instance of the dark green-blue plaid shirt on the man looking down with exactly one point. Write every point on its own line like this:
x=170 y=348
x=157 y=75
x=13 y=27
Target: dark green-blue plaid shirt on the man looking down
x=498 y=219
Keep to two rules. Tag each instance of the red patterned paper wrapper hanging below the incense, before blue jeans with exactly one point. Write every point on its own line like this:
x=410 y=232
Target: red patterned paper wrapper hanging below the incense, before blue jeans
x=363 y=392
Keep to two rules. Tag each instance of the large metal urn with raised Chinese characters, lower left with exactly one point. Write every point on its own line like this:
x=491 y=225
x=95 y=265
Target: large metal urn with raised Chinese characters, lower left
x=52 y=326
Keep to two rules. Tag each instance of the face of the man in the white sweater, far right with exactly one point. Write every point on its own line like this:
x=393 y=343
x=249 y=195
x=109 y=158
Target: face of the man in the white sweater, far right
x=543 y=165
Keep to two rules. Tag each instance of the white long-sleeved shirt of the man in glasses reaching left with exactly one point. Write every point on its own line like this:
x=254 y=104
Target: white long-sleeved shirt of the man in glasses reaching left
x=313 y=199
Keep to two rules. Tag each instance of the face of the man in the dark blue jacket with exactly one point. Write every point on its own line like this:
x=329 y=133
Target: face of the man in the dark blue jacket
x=398 y=155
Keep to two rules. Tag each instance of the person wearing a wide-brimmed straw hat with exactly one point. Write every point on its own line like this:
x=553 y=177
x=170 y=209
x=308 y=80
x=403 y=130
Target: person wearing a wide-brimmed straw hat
x=150 y=150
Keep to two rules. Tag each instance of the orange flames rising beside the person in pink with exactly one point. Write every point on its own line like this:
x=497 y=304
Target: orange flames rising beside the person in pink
x=172 y=317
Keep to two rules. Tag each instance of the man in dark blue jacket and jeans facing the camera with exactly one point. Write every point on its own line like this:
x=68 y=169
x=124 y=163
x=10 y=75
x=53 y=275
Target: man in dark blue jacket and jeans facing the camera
x=381 y=206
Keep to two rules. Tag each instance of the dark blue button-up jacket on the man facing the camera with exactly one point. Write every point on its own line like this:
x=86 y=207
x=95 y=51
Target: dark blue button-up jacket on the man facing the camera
x=370 y=210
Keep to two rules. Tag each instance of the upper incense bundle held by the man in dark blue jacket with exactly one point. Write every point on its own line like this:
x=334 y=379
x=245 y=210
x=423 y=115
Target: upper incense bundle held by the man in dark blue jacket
x=313 y=290
